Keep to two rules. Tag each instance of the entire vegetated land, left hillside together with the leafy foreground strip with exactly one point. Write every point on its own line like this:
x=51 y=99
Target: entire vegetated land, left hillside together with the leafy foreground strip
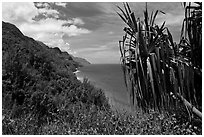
x=41 y=95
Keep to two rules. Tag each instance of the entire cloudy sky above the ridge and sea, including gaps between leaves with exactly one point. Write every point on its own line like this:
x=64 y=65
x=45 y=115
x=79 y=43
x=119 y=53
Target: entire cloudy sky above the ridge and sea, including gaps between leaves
x=90 y=30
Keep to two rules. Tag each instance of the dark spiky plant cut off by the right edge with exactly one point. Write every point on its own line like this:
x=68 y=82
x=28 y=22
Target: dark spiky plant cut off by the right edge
x=191 y=45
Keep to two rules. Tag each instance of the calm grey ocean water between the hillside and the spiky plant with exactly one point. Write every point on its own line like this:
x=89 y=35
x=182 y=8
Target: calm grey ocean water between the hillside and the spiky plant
x=109 y=78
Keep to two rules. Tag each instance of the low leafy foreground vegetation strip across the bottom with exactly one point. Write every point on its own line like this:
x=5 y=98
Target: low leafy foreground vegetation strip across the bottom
x=80 y=118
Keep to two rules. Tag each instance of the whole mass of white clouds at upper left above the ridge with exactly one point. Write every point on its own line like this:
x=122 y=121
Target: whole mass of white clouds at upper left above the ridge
x=49 y=30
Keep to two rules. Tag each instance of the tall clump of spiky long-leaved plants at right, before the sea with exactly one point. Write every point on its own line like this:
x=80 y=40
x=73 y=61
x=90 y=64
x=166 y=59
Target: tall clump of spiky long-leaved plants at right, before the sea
x=155 y=67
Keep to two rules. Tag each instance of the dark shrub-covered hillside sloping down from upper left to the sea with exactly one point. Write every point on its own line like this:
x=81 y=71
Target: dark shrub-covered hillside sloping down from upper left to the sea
x=39 y=86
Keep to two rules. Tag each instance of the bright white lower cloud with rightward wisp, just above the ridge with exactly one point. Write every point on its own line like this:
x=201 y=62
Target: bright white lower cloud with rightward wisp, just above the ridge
x=50 y=31
